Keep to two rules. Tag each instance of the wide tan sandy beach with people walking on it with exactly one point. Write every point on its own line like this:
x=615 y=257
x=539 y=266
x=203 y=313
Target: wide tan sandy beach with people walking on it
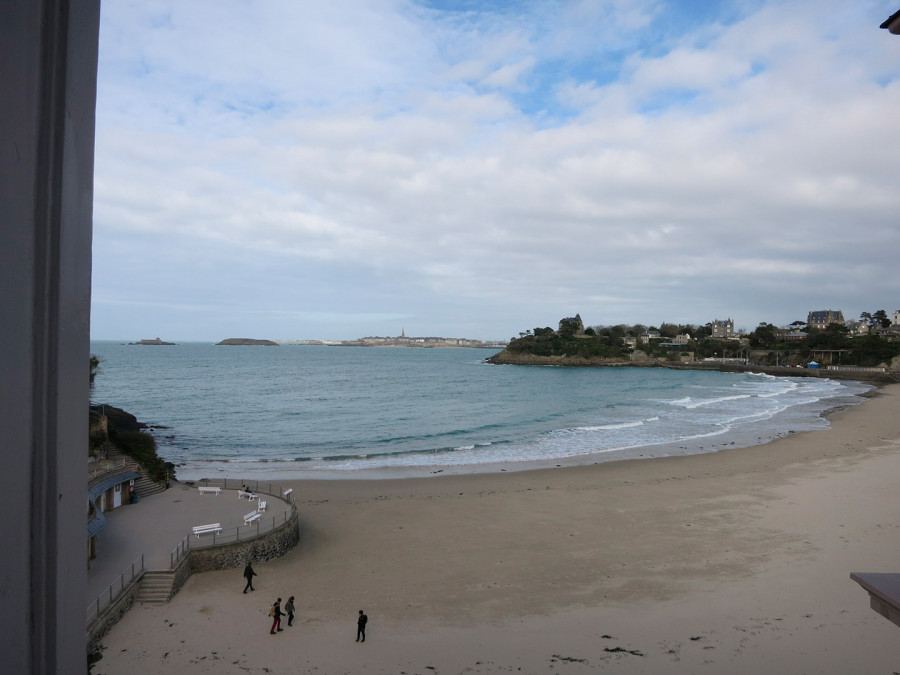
x=733 y=562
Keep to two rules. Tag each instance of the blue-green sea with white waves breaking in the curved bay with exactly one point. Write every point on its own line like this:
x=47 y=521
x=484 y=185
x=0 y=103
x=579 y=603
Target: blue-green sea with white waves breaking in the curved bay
x=316 y=411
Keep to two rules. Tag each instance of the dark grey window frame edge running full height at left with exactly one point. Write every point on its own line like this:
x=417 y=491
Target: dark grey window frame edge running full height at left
x=48 y=73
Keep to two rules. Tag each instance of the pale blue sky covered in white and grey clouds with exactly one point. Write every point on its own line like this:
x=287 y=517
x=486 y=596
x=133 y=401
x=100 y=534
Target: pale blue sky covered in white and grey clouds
x=283 y=169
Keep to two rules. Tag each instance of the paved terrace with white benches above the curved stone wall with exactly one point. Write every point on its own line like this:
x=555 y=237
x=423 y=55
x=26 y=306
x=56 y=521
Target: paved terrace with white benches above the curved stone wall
x=157 y=524
